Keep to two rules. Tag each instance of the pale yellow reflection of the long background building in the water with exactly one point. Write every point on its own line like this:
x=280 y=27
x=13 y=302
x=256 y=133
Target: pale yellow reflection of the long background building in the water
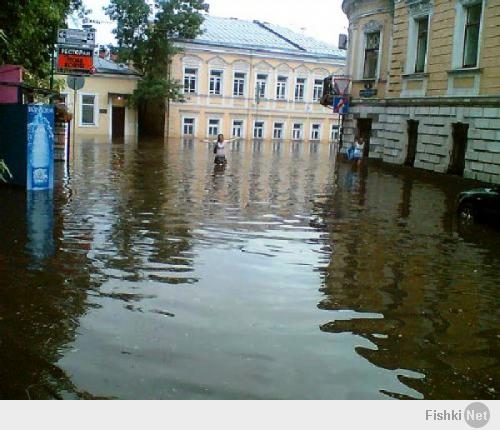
x=269 y=173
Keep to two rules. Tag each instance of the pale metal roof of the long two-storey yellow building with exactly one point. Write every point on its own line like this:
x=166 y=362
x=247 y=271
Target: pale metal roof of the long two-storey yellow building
x=258 y=35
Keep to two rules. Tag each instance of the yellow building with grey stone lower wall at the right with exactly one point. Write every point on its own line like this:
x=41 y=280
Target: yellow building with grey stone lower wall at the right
x=426 y=83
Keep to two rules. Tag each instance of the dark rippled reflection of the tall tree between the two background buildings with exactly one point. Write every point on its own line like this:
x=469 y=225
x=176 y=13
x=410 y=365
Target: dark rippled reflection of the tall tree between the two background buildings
x=150 y=227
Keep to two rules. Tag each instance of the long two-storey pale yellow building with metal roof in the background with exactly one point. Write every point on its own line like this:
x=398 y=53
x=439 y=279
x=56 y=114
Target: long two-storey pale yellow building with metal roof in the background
x=253 y=80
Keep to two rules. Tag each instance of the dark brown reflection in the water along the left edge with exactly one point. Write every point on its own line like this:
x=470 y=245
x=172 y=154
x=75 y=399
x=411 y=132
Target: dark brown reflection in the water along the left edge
x=39 y=307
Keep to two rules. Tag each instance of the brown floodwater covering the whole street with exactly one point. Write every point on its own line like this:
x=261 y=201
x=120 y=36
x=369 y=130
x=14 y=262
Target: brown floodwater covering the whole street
x=148 y=274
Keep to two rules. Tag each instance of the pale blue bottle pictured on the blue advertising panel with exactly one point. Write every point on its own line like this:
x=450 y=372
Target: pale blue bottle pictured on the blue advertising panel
x=40 y=152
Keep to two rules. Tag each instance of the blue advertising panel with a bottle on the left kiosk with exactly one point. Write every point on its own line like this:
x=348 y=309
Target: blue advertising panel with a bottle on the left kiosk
x=40 y=157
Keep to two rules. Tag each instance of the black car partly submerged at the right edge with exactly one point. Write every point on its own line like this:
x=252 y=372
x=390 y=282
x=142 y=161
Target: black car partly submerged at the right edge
x=480 y=205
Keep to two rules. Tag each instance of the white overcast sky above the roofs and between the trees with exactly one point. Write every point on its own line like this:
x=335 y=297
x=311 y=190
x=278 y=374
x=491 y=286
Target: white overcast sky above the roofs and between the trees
x=321 y=19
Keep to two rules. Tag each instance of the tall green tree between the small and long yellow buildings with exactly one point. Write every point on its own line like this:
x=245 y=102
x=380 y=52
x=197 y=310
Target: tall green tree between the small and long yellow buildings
x=150 y=46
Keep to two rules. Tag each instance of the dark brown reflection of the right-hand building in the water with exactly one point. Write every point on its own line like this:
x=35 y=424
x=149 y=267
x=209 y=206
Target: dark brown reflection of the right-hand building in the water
x=436 y=294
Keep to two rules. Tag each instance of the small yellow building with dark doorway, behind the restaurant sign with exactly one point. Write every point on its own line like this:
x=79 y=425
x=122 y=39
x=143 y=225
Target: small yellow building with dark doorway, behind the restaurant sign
x=101 y=105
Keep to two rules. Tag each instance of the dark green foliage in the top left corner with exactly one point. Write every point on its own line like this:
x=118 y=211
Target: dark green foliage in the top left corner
x=28 y=31
